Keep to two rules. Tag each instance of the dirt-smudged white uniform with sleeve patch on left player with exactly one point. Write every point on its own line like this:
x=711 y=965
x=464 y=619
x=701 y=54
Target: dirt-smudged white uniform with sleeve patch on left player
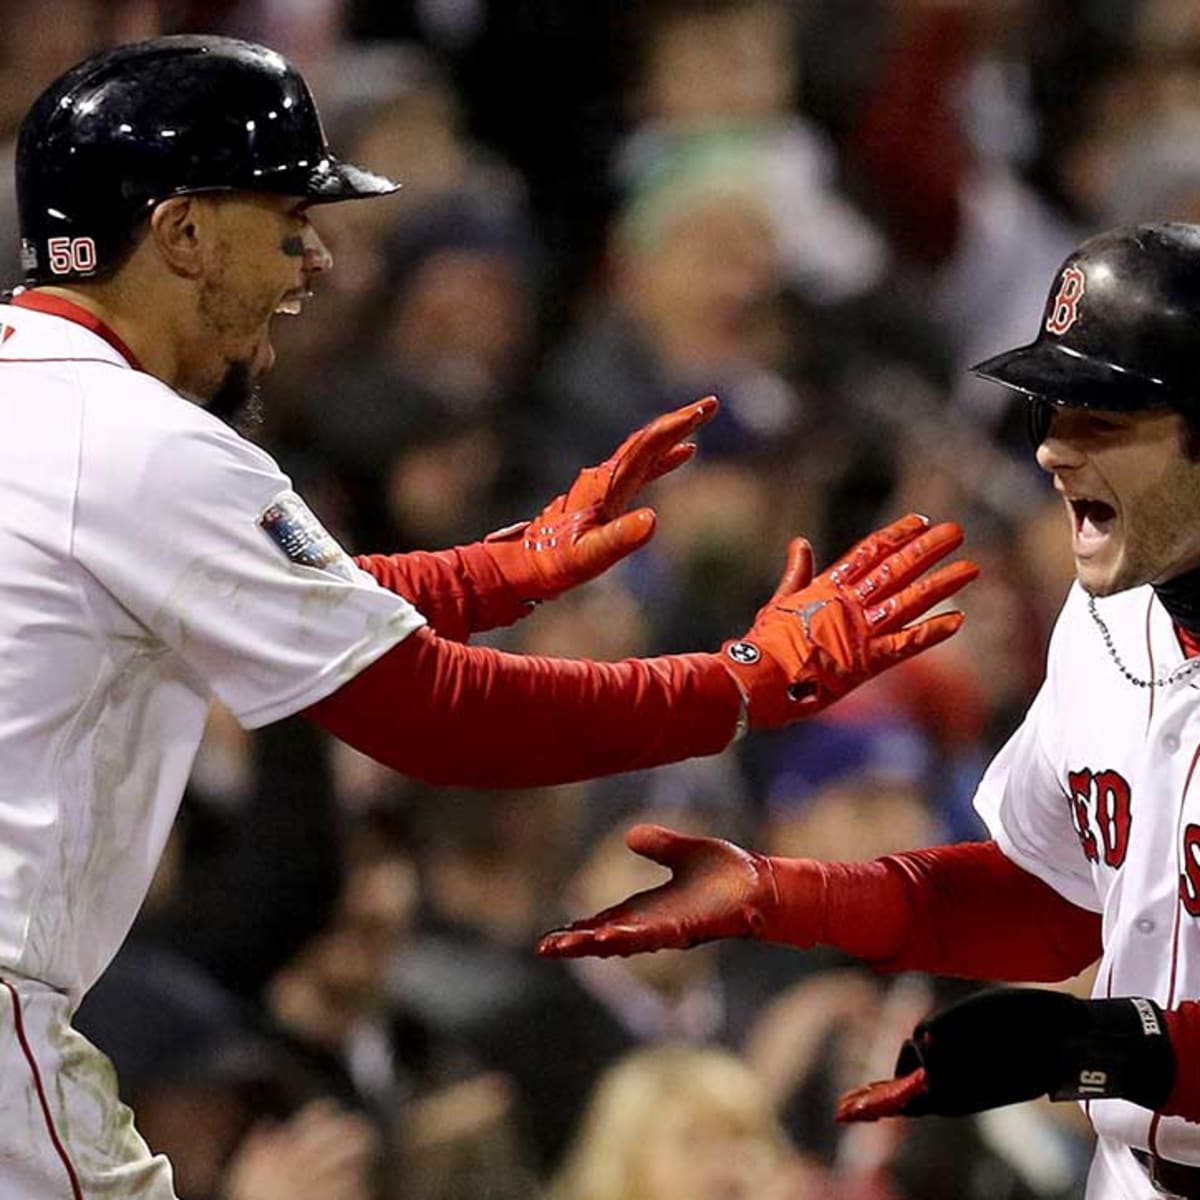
x=153 y=560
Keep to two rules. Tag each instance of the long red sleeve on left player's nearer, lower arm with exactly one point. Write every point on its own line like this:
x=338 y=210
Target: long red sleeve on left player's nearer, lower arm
x=475 y=717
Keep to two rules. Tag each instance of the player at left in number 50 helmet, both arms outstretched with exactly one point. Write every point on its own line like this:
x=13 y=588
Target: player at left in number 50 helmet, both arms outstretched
x=154 y=560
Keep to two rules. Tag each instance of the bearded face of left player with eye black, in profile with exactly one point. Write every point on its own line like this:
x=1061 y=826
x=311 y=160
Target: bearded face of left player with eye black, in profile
x=263 y=257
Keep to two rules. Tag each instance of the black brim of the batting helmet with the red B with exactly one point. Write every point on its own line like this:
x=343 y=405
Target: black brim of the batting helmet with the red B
x=1061 y=376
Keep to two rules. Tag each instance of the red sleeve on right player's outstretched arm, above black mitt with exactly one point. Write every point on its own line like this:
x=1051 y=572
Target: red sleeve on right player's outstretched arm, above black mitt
x=963 y=910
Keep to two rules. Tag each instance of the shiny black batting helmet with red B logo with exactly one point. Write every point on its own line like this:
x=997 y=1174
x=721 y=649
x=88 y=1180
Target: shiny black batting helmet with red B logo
x=1120 y=332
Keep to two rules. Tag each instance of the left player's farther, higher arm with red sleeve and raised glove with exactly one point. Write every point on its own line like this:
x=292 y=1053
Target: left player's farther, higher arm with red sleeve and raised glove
x=575 y=538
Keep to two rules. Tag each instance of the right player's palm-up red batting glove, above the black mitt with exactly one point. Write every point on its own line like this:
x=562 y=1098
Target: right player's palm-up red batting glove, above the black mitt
x=717 y=890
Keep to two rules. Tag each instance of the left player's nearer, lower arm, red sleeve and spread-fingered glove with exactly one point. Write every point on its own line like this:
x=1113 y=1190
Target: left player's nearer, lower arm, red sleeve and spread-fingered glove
x=448 y=713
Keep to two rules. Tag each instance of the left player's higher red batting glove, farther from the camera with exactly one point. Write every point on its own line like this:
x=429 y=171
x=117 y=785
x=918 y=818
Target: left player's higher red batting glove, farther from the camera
x=583 y=533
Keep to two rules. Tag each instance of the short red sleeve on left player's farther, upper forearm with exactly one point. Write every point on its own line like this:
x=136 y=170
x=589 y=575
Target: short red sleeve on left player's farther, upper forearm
x=460 y=592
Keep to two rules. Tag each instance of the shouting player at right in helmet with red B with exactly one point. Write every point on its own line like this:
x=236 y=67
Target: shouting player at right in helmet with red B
x=1094 y=806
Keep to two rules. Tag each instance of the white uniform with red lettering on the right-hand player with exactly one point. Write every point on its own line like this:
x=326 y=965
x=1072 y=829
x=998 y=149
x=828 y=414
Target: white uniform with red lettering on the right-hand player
x=1099 y=795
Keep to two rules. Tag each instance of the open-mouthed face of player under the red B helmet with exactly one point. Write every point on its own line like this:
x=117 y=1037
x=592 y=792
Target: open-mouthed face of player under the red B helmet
x=1132 y=493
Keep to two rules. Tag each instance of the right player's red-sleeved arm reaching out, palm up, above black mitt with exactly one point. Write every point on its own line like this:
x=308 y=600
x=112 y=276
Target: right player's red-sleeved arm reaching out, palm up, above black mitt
x=964 y=910
